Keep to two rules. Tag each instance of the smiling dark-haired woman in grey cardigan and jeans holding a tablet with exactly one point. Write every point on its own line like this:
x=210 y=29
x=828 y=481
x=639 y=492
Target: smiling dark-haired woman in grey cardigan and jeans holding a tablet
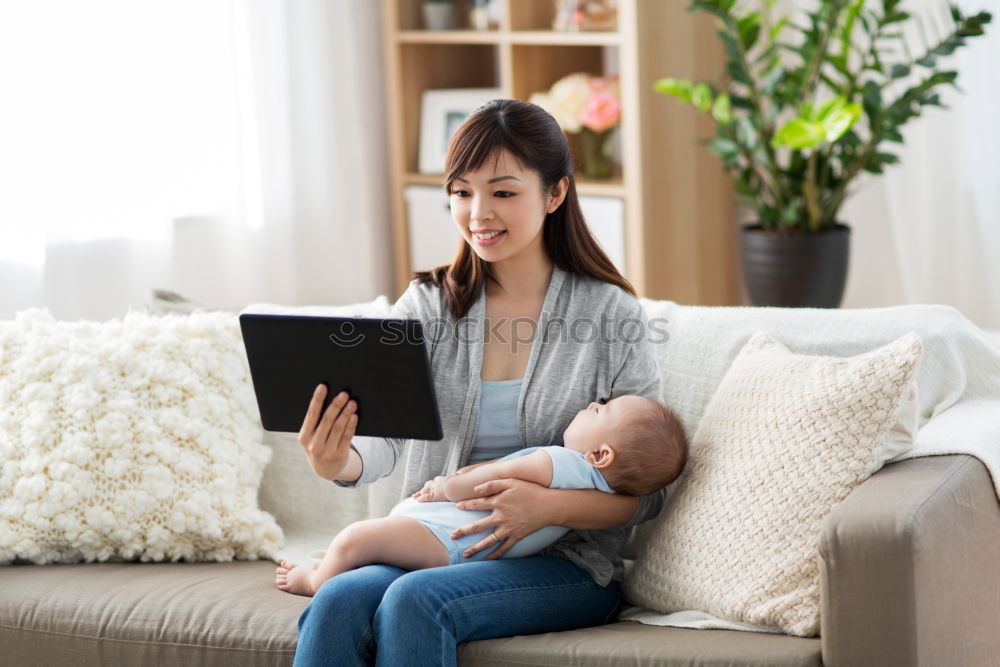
x=524 y=328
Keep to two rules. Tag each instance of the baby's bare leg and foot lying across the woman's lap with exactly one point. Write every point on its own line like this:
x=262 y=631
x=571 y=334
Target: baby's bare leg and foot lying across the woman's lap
x=396 y=540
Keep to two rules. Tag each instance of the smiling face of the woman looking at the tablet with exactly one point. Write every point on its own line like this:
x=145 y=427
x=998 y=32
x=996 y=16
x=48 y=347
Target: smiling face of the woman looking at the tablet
x=500 y=209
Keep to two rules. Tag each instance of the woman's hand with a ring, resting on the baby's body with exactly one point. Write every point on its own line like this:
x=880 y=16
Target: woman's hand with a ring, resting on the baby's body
x=516 y=508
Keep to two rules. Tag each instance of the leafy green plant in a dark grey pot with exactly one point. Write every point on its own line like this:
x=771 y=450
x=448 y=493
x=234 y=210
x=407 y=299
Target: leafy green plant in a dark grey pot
x=803 y=109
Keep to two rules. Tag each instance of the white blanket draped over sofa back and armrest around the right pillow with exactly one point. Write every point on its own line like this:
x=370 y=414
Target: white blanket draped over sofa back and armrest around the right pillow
x=959 y=381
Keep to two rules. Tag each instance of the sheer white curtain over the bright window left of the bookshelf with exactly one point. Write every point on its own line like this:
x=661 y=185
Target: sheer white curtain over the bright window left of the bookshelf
x=230 y=150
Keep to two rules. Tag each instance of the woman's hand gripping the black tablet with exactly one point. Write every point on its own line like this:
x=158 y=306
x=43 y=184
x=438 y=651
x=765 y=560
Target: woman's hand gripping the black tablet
x=327 y=439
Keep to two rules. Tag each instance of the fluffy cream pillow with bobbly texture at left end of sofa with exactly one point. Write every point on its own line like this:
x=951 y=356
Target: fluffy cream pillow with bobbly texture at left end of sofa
x=137 y=438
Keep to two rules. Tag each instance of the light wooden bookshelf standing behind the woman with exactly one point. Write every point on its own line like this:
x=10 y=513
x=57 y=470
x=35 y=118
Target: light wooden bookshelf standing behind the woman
x=679 y=219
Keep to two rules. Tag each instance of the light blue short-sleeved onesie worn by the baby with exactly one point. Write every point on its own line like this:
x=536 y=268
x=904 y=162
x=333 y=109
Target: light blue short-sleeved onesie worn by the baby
x=569 y=471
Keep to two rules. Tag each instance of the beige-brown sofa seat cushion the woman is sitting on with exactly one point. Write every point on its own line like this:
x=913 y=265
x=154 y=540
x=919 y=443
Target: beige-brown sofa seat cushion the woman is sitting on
x=231 y=615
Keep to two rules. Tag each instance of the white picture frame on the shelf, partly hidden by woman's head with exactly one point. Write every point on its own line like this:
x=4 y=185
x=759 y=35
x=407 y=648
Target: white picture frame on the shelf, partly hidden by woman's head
x=441 y=112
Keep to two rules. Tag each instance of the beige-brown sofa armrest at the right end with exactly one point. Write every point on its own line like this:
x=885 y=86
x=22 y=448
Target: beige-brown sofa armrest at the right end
x=910 y=568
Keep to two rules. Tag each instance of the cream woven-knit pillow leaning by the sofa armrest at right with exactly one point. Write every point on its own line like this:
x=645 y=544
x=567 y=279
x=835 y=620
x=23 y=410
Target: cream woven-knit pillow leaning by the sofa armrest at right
x=784 y=439
